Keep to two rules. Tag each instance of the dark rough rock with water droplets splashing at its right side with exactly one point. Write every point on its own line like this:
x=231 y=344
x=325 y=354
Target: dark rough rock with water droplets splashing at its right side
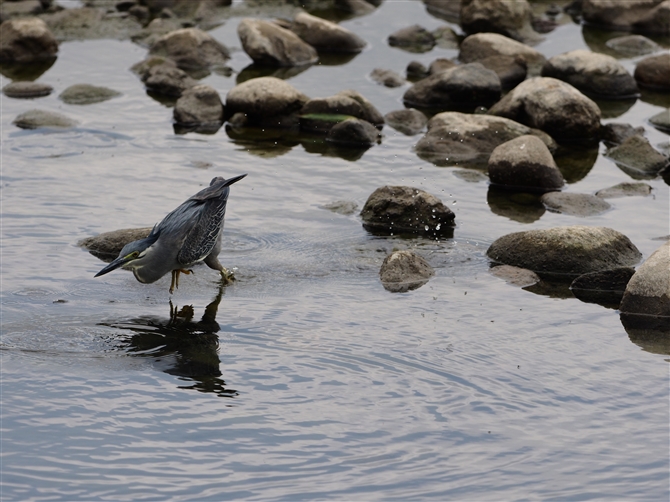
x=393 y=210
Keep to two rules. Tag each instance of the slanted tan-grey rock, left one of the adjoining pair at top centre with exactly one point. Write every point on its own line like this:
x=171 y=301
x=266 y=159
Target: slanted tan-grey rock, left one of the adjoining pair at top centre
x=270 y=45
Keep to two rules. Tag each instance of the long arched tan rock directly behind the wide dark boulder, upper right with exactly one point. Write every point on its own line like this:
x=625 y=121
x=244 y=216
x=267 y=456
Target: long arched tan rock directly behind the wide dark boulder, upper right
x=483 y=45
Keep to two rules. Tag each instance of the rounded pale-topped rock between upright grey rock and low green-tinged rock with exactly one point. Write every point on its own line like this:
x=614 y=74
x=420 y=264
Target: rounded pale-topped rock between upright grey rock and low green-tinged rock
x=264 y=100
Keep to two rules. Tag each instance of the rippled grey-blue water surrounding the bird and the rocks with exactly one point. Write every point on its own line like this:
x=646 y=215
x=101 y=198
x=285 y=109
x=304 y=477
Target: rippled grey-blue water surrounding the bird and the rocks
x=305 y=379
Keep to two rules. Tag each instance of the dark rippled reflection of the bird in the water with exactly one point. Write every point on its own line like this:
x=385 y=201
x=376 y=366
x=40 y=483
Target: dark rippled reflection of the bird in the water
x=180 y=346
